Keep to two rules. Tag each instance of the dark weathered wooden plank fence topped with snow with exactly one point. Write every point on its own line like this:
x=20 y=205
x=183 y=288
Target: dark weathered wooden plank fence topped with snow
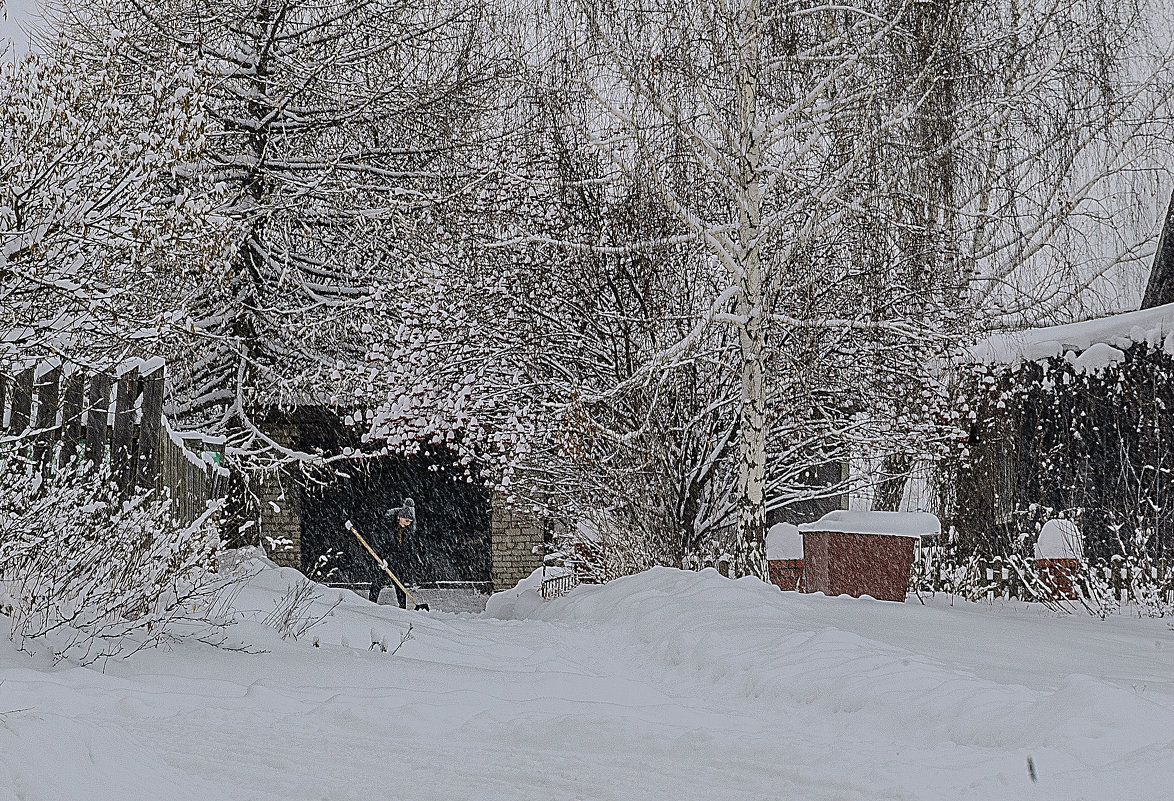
x=62 y=414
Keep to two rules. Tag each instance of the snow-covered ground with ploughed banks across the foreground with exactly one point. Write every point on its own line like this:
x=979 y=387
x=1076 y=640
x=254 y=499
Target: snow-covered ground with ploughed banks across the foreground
x=666 y=685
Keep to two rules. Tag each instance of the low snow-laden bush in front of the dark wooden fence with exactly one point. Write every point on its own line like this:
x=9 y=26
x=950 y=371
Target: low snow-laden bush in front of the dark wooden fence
x=96 y=575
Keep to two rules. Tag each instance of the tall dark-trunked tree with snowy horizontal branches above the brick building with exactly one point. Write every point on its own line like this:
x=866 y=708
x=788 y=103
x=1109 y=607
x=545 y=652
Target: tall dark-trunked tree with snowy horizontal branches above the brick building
x=338 y=140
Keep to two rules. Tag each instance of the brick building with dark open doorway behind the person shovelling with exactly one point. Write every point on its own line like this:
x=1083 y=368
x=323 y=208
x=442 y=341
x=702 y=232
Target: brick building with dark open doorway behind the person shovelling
x=464 y=533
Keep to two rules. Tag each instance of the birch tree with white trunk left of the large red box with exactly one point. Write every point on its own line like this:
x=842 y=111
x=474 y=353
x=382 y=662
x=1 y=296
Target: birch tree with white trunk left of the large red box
x=768 y=112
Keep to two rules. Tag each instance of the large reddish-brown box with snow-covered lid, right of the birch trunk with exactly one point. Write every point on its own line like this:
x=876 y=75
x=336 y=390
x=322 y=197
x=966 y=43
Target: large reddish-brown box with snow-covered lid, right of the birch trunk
x=863 y=554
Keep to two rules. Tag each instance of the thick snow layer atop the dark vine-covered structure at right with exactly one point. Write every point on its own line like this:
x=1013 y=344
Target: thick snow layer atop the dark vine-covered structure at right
x=1098 y=342
